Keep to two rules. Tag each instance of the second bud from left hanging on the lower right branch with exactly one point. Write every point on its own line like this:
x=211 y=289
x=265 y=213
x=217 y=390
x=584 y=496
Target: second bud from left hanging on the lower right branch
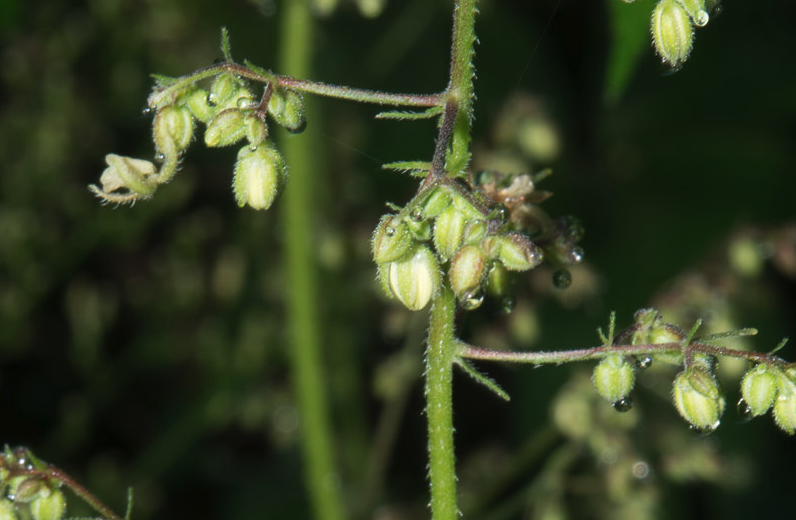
x=698 y=398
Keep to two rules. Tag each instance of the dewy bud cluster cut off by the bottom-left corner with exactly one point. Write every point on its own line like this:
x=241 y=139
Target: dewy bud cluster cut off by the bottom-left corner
x=26 y=490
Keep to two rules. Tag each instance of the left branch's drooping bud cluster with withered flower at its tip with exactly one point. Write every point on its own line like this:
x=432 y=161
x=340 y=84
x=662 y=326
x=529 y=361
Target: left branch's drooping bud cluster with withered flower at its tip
x=231 y=114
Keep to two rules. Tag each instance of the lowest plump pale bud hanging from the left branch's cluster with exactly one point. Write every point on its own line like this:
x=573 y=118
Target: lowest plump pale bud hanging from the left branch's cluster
x=258 y=176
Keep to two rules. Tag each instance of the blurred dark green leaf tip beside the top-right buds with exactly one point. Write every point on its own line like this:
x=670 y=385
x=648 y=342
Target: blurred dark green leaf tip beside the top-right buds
x=630 y=29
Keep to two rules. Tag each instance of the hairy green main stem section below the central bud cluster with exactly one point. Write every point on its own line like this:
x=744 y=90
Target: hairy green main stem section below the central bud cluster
x=439 y=406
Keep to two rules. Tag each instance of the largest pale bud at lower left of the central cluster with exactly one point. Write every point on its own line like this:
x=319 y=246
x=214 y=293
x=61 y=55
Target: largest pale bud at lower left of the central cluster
x=414 y=279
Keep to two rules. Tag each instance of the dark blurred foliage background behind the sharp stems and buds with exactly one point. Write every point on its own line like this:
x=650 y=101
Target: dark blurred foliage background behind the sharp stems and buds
x=144 y=346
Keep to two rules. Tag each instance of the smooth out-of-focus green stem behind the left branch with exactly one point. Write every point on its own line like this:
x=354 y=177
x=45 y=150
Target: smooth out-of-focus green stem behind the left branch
x=302 y=315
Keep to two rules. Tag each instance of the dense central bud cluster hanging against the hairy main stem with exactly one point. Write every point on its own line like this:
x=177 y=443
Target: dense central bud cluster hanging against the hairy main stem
x=463 y=229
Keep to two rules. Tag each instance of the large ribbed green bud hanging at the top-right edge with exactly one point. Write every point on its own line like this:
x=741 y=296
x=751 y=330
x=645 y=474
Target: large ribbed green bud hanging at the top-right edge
x=672 y=32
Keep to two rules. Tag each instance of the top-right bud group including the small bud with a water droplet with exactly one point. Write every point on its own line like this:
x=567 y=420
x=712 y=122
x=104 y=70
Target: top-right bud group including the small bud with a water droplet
x=673 y=28
